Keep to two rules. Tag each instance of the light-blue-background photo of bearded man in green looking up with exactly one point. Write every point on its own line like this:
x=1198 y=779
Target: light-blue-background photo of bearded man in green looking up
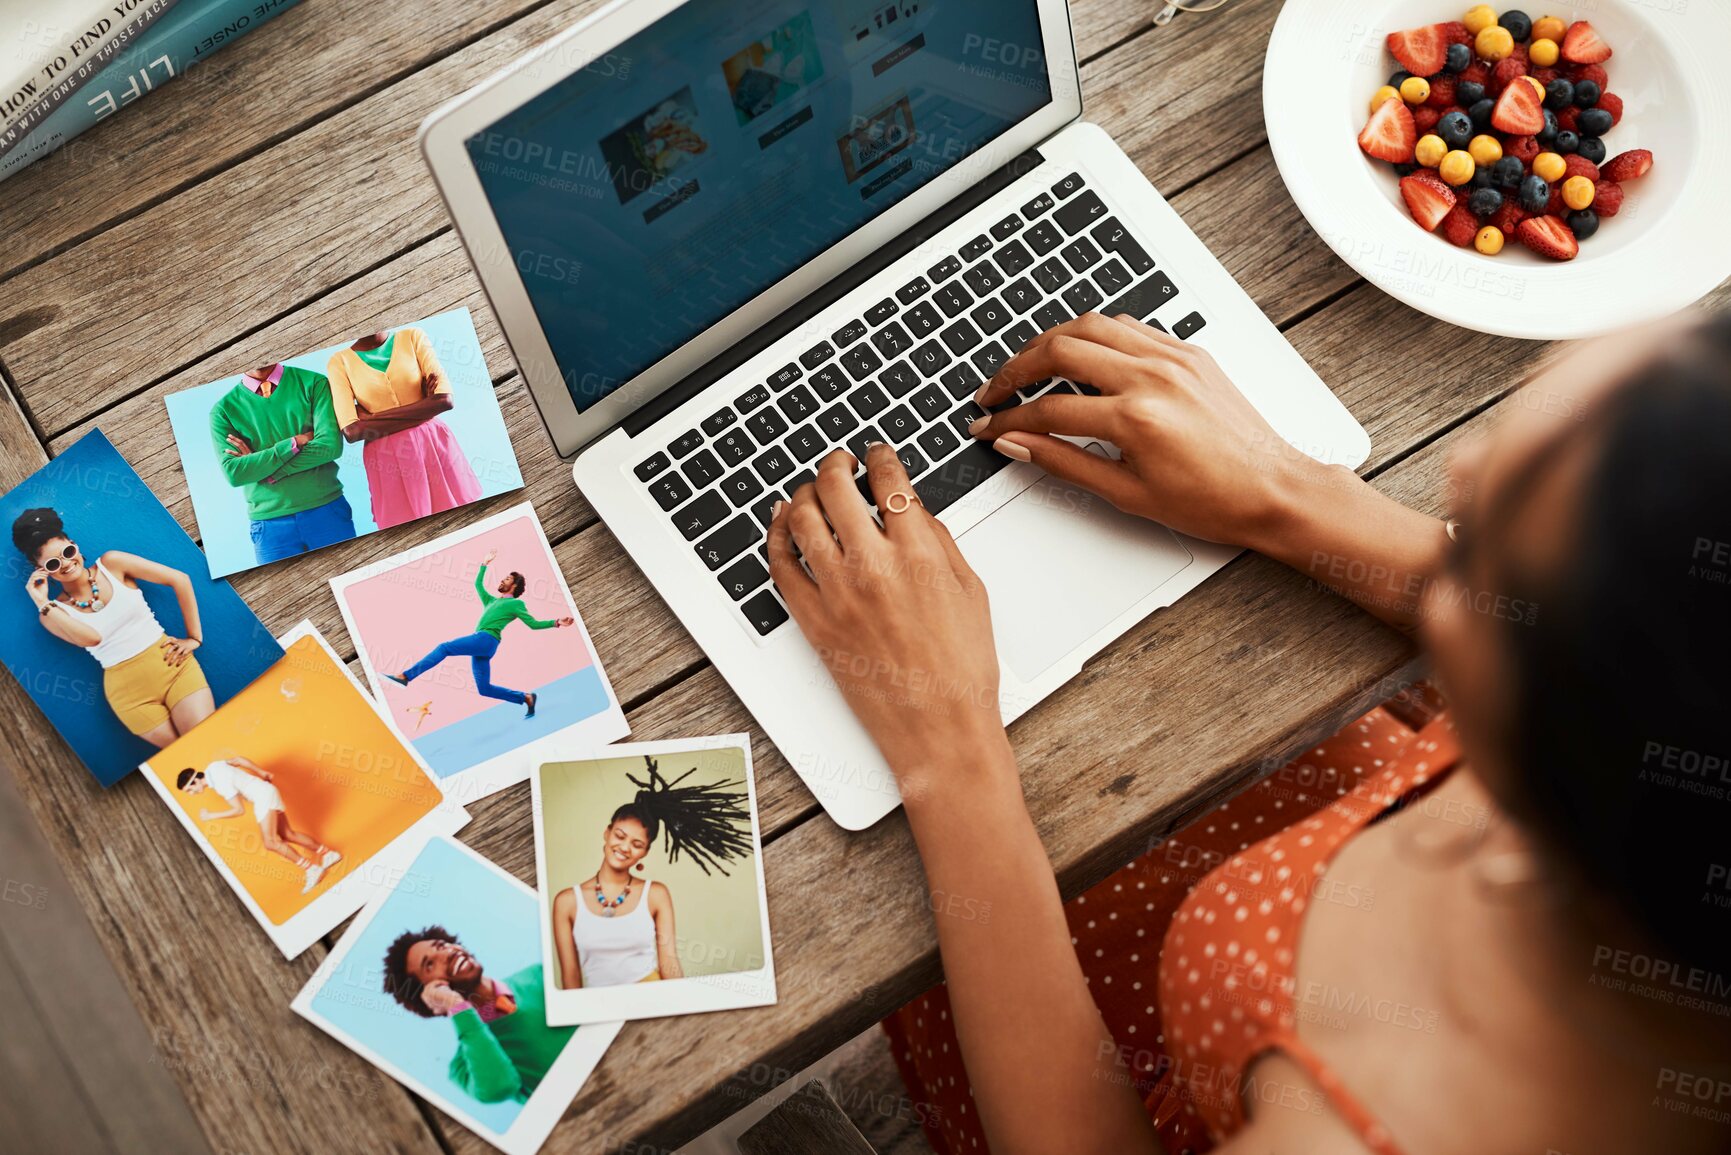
x=441 y=986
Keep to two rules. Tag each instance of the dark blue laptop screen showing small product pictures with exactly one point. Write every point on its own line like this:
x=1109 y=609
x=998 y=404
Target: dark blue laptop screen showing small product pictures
x=669 y=183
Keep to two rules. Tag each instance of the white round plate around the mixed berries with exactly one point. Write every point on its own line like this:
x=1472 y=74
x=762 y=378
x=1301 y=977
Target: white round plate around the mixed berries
x=1670 y=247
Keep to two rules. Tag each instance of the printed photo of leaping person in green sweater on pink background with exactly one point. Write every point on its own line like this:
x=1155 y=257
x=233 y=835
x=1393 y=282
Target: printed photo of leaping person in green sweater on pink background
x=479 y=655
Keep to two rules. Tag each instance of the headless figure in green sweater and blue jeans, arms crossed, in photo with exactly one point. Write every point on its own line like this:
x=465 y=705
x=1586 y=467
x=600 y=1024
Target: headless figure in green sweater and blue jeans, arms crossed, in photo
x=278 y=439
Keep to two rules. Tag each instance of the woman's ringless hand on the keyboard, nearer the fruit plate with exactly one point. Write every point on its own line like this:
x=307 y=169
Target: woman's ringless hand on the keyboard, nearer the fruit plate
x=1197 y=455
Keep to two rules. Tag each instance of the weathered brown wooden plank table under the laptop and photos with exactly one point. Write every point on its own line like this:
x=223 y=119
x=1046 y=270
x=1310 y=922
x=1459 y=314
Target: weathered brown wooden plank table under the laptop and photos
x=274 y=202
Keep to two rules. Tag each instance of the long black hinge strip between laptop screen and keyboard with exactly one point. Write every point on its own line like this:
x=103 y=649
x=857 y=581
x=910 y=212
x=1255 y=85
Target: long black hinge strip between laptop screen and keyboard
x=833 y=292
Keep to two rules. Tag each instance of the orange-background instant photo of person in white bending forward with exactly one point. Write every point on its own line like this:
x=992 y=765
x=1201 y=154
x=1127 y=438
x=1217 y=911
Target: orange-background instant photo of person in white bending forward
x=302 y=796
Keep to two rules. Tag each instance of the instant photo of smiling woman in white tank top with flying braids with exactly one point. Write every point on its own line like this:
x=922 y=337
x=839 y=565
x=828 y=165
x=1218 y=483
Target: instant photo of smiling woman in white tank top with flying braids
x=652 y=882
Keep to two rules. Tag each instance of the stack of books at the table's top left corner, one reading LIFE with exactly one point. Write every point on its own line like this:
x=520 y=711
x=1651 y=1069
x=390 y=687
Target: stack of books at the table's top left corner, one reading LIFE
x=70 y=65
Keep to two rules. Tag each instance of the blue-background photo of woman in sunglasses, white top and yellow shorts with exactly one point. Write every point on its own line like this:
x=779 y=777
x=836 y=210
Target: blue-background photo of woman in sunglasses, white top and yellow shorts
x=113 y=624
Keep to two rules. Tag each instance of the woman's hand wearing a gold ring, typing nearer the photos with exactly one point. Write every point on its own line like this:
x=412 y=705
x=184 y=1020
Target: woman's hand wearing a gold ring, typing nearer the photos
x=896 y=614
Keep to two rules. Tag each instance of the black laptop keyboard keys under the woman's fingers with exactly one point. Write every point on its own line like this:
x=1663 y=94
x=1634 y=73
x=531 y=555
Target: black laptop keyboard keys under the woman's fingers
x=904 y=373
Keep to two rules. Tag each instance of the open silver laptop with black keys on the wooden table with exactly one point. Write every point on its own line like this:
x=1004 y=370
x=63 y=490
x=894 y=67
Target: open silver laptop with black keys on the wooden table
x=730 y=236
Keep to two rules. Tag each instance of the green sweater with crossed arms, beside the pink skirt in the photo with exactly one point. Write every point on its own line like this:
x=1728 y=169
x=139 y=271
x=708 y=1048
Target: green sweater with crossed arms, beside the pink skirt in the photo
x=276 y=479
